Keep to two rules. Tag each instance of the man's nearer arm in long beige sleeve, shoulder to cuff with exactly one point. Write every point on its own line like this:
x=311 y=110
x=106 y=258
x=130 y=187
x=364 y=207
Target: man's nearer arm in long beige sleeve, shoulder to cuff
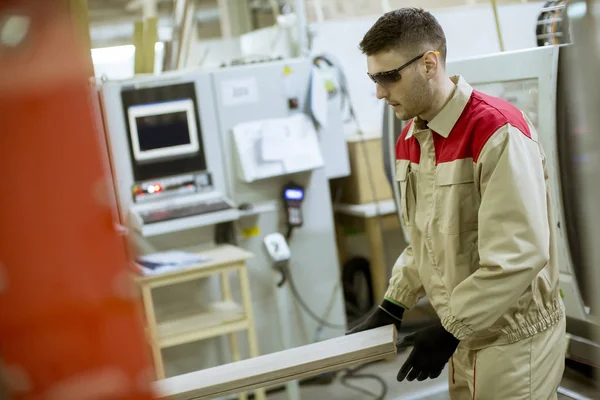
x=514 y=236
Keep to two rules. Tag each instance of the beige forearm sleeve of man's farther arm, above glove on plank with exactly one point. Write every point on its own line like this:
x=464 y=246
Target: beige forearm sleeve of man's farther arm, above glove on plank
x=405 y=287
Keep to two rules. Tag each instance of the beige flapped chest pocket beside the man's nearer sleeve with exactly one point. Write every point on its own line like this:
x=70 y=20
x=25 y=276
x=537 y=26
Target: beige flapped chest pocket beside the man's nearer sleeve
x=456 y=197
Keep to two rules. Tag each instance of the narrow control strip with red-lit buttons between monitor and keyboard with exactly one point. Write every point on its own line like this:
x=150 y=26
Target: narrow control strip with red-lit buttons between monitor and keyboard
x=172 y=186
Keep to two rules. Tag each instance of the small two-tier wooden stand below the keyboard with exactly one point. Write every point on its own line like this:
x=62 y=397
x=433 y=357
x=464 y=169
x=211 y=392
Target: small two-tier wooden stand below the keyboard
x=187 y=322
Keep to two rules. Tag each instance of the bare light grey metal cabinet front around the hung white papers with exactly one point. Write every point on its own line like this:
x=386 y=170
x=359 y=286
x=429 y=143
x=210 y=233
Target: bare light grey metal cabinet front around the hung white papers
x=314 y=264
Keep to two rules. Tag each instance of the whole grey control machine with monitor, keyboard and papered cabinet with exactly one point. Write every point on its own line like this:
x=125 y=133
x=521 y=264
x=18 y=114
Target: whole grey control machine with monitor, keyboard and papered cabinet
x=235 y=154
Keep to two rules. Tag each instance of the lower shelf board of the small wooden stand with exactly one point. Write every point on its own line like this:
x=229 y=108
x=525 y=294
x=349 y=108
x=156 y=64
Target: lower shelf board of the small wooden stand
x=189 y=326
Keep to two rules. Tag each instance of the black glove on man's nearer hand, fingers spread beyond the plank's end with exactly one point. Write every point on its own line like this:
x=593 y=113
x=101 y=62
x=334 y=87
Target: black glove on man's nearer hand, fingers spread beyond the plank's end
x=433 y=347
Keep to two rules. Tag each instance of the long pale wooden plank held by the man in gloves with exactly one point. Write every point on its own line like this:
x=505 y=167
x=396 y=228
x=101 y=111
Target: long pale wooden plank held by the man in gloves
x=271 y=369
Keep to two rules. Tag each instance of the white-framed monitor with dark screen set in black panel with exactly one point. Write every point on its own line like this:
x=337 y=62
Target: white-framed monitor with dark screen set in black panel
x=165 y=124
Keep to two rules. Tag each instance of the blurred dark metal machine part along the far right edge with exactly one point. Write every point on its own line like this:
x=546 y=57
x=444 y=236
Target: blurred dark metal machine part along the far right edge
x=581 y=144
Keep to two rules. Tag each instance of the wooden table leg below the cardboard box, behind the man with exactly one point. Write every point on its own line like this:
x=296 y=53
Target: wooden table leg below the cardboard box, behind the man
x=378 y=267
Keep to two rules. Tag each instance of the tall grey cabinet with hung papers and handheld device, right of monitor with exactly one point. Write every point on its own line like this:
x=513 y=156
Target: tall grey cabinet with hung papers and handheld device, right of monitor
x=280 y=96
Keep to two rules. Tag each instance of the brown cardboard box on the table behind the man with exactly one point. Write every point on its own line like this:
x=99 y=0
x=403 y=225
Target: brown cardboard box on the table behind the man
x=367 y=173
